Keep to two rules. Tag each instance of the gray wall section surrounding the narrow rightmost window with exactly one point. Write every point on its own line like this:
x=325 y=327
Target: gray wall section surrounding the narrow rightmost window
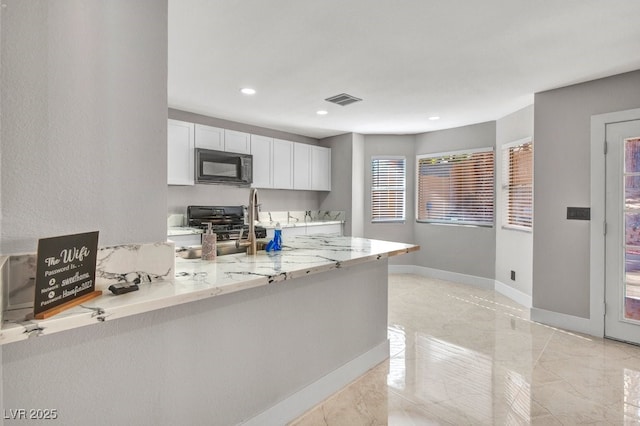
x=514 y=248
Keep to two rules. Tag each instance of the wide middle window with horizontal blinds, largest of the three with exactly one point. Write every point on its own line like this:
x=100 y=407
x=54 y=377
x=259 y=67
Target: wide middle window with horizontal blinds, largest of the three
x=456 y=188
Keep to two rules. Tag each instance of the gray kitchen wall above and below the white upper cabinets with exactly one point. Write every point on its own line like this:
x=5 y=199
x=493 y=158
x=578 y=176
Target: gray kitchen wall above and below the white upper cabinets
x=179 y=197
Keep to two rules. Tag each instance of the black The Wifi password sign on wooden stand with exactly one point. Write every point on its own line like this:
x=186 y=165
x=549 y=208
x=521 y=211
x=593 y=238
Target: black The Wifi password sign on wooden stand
x=65 y=273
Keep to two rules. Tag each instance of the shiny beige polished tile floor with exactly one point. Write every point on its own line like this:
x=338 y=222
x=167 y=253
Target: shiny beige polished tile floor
x=466 y=356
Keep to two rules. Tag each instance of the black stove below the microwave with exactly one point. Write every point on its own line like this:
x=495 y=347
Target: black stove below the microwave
x=226 y=221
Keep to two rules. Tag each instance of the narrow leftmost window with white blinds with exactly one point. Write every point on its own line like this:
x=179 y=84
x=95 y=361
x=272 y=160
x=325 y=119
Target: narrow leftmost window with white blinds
x=388 y=185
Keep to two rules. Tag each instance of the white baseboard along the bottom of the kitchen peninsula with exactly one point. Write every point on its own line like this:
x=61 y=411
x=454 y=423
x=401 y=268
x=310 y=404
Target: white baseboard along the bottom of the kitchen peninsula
x=313 y=394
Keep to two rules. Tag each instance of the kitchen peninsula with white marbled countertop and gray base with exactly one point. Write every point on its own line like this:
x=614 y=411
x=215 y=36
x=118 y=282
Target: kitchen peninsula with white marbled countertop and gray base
x=255 y=339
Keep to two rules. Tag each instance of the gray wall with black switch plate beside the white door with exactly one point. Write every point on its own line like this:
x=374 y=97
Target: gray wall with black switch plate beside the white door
x=561 y=179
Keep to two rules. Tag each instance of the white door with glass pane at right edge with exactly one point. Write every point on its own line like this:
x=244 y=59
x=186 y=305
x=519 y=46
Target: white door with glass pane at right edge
x=622 y=240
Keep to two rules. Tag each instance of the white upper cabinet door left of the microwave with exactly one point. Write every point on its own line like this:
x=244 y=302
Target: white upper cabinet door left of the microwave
x=180 y=151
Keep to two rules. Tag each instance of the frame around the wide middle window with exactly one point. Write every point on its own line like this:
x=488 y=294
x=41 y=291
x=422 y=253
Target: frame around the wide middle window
x=440 y=155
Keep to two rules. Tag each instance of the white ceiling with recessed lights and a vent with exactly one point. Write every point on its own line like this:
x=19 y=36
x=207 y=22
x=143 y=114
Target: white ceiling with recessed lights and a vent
x=466 y=61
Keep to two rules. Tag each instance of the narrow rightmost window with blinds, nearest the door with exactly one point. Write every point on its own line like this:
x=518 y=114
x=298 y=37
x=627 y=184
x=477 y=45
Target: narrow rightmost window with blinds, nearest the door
x=517 y=187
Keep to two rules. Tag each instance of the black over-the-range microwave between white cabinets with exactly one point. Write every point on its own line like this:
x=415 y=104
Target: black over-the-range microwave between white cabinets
x=223 y=167
